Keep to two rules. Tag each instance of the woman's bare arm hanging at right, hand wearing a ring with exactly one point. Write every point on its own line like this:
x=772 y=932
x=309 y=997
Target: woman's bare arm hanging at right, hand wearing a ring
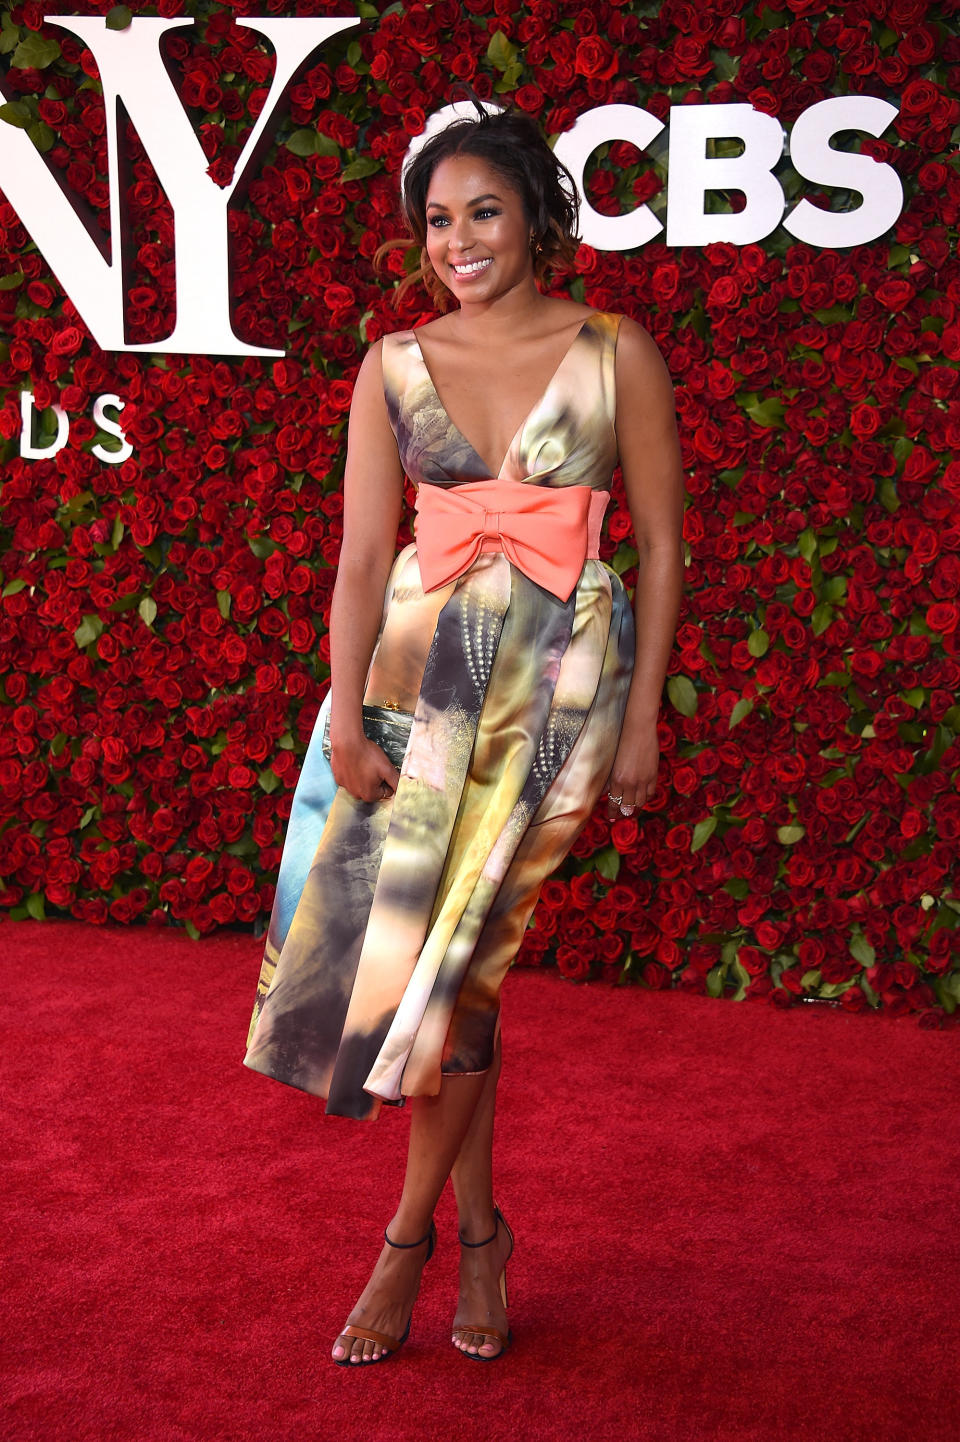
x=654 y=481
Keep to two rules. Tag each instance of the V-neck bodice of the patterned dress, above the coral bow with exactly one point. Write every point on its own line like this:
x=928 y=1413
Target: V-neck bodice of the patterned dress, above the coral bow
x=567 y=439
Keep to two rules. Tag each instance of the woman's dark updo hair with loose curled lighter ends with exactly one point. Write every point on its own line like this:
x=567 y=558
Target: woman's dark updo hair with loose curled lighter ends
x=515 y=148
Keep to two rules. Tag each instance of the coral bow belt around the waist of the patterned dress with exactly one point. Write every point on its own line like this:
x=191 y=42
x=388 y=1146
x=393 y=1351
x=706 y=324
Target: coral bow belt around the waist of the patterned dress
x=546 y=531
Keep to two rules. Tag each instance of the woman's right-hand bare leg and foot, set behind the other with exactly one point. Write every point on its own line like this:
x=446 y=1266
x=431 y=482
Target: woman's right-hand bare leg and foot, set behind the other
x=481 y=1303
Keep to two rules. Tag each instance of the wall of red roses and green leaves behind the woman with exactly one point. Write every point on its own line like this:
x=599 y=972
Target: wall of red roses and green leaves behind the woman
x=164 y=622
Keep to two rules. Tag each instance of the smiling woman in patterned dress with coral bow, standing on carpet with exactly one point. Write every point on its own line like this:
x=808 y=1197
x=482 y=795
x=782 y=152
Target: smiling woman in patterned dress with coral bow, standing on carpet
x=512 y=648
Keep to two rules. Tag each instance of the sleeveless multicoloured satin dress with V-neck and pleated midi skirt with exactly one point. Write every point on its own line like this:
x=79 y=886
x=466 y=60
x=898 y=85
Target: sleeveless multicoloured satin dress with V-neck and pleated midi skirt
x=397 y=921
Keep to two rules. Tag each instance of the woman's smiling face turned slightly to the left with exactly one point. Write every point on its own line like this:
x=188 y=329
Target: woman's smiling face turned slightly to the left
x=478 y=233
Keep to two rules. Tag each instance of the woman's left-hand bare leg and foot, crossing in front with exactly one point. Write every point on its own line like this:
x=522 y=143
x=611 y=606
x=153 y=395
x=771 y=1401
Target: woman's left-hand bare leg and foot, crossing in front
x=437 y=1130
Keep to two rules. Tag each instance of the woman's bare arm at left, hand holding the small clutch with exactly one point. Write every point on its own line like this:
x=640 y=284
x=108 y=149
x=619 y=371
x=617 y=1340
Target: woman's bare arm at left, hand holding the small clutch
x=373 y=500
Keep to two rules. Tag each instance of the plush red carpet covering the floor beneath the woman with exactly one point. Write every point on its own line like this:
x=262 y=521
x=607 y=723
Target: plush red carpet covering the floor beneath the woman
x=733 y=1222
